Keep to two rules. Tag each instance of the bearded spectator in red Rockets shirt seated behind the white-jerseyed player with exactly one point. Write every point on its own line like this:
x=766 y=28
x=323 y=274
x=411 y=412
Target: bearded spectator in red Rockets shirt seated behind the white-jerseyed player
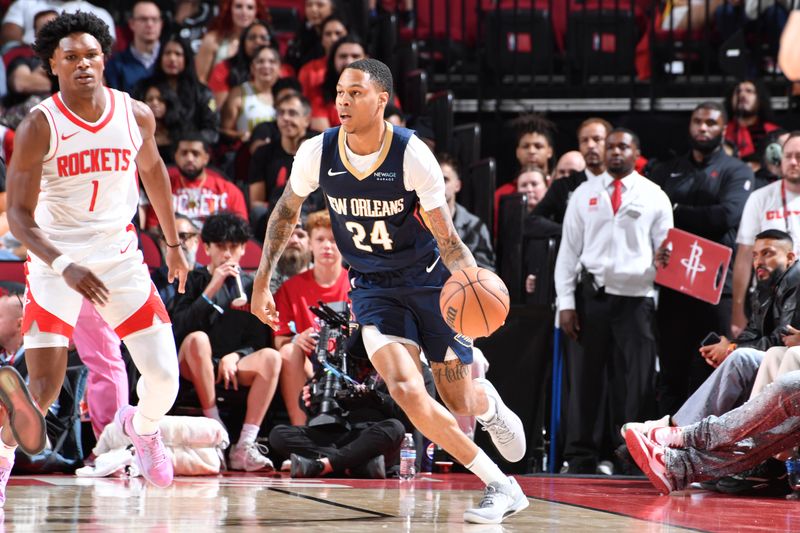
x=197 y=191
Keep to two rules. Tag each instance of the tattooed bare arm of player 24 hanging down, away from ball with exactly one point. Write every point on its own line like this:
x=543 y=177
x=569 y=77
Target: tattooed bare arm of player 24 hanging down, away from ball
x=279 y=228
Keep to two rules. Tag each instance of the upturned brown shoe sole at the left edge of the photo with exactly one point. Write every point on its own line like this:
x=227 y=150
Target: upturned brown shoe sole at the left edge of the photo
x=24 y=418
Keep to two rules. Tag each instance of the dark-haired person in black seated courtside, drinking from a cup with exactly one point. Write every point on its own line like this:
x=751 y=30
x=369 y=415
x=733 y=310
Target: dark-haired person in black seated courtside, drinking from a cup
x=221 y=342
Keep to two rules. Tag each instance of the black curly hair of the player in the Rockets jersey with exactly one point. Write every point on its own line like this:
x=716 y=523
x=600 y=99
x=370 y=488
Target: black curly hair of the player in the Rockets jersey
x=66 y=24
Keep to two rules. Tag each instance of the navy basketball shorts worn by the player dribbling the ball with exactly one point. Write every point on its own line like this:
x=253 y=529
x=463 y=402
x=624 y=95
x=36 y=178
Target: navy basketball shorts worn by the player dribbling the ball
x=405 y=303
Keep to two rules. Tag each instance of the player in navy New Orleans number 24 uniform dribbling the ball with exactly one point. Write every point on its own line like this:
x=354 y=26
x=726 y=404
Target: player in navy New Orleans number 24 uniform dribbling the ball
x=385 y=195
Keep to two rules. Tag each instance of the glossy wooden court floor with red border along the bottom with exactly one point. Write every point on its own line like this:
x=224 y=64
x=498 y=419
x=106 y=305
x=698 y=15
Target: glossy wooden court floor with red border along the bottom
x=435 y=503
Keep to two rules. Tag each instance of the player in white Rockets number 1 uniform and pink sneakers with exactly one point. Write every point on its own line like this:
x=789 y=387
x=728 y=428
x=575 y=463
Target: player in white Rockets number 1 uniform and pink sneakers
x=72 y=191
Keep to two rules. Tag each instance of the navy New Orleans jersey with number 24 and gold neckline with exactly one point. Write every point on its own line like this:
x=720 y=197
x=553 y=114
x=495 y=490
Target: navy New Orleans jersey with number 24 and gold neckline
x=376 y=222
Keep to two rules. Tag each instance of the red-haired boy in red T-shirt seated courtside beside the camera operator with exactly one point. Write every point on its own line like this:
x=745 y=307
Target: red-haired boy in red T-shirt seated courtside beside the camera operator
x=326 y=281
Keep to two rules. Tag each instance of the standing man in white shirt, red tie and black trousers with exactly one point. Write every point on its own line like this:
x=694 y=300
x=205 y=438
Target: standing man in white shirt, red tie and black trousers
x=613 y=233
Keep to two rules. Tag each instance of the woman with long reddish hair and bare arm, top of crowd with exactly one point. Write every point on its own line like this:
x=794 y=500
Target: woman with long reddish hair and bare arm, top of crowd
x=221 y=42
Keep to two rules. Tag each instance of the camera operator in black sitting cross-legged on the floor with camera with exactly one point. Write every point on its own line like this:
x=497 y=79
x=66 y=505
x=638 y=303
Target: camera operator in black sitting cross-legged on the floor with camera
x=371 y=428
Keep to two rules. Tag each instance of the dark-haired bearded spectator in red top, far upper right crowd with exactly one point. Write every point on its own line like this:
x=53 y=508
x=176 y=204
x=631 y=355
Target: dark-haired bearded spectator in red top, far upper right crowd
x=748 y=106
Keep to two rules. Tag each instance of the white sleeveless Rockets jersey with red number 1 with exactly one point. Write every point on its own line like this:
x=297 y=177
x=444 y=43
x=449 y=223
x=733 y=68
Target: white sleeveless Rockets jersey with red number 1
x=89 y=184
